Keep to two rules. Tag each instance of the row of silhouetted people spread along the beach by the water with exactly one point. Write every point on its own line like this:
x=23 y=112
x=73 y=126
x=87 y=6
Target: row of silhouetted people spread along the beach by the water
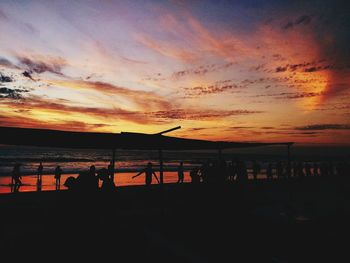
x=210 y=171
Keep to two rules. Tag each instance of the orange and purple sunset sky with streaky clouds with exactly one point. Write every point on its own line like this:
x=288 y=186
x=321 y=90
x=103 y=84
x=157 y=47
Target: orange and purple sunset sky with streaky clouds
x=266 y=71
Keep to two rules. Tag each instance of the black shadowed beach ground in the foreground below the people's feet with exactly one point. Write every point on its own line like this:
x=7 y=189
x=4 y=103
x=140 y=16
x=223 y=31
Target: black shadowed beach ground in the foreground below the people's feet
x=282 y=221
